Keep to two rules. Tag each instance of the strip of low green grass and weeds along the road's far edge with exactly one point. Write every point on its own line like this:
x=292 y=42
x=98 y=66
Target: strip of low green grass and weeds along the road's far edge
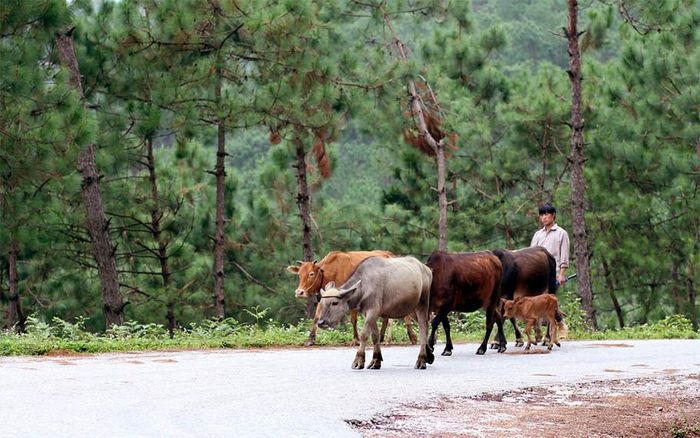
x=62 y=337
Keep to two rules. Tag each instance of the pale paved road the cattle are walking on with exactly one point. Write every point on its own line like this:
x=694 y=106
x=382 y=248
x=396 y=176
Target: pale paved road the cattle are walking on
x=286 y=393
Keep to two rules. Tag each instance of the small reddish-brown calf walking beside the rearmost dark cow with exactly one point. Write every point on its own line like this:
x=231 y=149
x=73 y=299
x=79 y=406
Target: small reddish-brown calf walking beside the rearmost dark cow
x=532 y=310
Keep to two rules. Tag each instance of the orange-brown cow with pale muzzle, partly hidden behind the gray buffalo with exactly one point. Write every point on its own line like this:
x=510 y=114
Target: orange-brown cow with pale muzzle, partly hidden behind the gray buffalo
x=336 y=266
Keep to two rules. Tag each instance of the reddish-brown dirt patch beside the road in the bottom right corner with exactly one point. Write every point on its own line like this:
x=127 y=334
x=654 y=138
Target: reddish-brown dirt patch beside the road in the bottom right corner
x=651 y=406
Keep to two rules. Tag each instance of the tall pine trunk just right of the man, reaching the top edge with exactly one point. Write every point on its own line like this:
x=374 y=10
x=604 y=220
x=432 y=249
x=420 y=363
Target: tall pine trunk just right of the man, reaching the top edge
x=578 y=187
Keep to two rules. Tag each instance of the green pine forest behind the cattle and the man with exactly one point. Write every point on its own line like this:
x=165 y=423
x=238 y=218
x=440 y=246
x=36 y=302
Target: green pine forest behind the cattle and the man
x=230 y=139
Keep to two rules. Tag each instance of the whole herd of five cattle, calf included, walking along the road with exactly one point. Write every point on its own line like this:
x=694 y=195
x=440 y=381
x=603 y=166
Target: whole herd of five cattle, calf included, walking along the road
x=506 y=284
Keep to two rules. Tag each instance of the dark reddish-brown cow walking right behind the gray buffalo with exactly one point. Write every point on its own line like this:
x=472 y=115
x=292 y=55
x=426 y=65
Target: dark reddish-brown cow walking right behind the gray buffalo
x=465 y=282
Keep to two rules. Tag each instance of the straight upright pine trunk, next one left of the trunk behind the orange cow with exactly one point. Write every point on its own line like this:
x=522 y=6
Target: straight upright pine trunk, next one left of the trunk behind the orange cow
x=219 y=237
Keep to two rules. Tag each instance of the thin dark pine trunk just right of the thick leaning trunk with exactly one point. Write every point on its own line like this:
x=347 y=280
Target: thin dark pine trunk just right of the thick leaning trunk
x=156 y=216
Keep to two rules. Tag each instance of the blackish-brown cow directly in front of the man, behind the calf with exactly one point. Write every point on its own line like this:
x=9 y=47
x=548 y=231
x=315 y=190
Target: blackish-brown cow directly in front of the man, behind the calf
x=527 y=272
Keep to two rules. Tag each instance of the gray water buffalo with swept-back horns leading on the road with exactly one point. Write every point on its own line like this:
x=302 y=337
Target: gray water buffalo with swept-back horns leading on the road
x=389 y=288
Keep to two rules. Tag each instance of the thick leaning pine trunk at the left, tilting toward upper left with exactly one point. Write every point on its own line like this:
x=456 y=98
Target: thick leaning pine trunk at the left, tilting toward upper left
x=98 y=226
